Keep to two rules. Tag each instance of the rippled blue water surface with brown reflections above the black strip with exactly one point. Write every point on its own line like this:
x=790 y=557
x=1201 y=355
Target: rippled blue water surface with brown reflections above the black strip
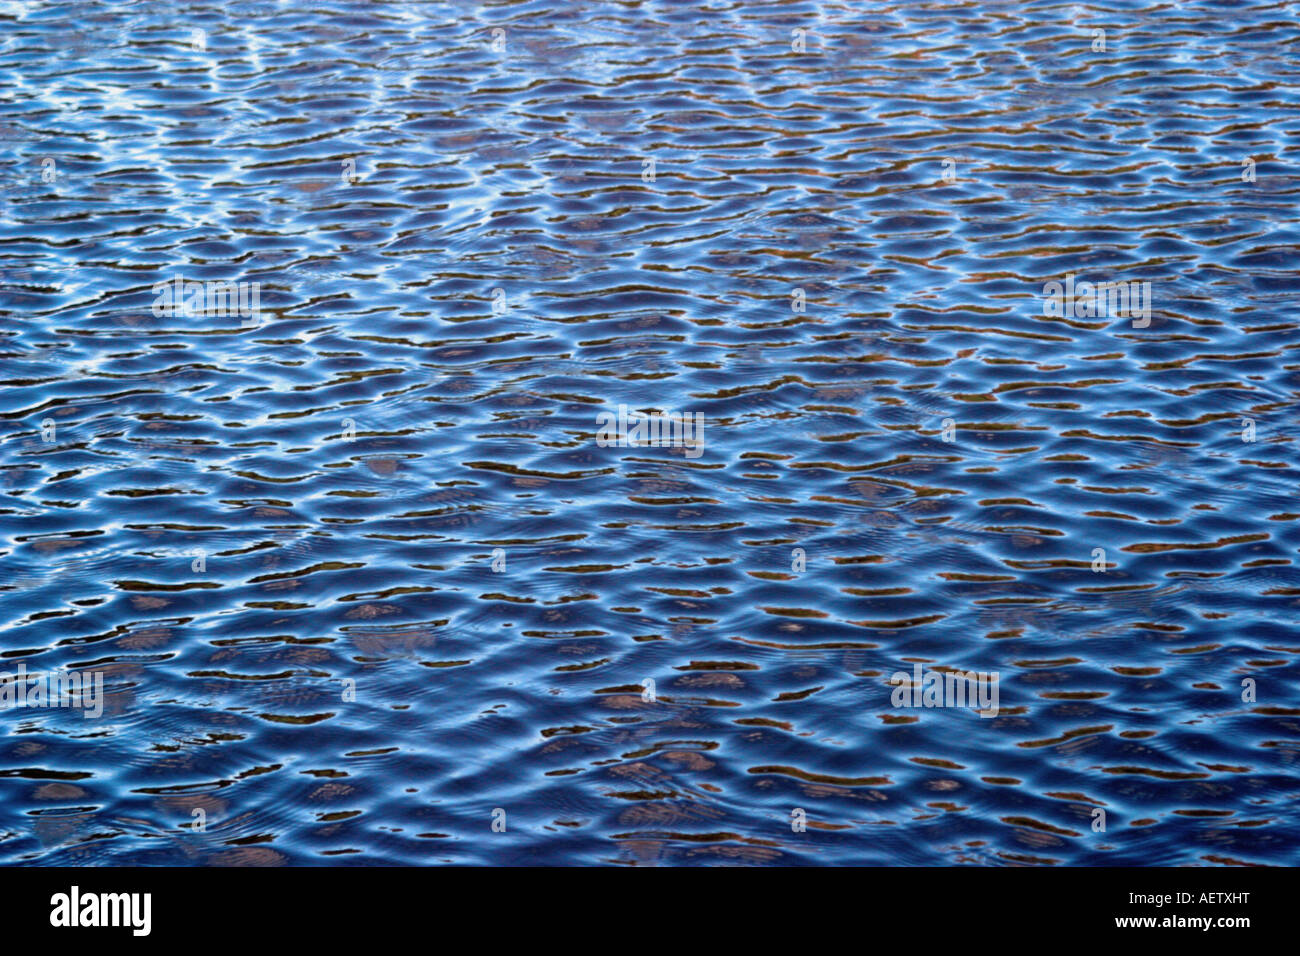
x=231 y=525
